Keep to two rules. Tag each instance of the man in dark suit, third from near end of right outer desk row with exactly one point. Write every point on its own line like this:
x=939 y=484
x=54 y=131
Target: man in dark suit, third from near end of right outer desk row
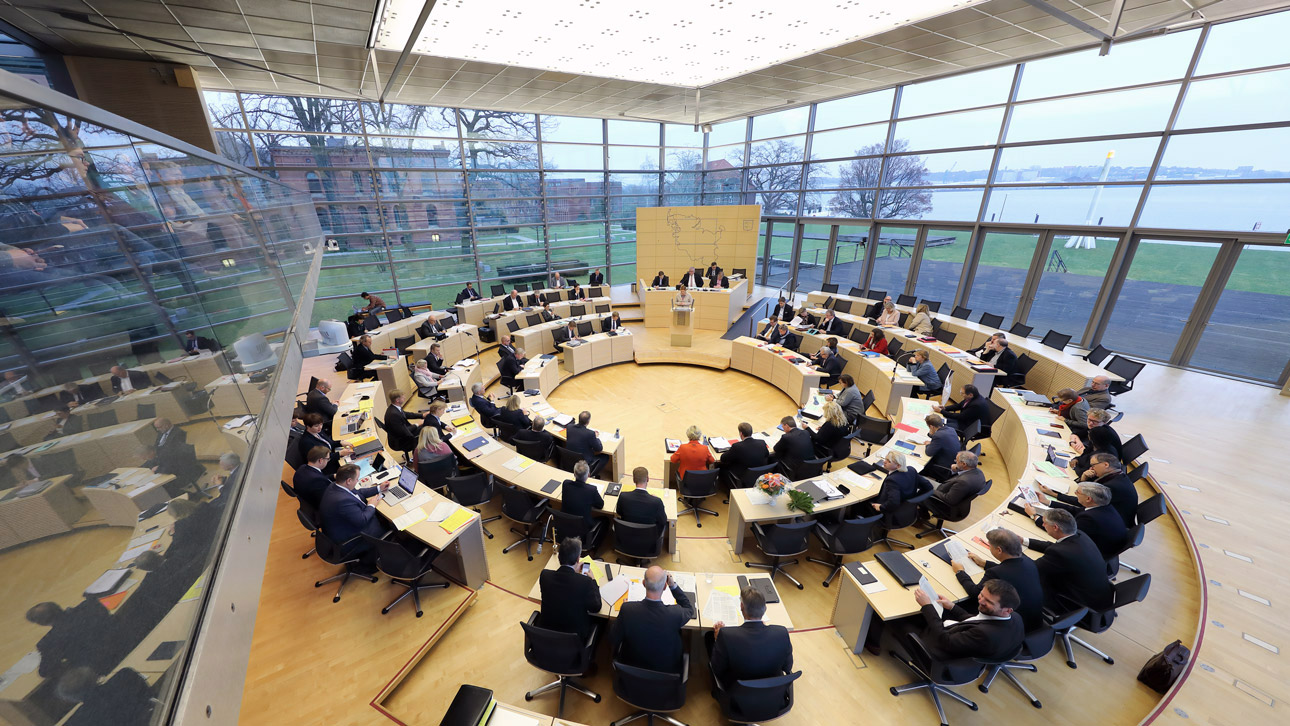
x=1073 y=567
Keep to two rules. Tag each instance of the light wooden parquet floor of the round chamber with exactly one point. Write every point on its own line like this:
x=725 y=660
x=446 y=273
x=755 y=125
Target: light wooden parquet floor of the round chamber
x=314 y=662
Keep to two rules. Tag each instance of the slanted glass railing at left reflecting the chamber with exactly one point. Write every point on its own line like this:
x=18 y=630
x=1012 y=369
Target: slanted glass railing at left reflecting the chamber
x=146 y=289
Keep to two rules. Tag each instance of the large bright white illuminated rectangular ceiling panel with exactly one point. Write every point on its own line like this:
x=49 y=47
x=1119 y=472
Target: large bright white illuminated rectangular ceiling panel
x=666 y=42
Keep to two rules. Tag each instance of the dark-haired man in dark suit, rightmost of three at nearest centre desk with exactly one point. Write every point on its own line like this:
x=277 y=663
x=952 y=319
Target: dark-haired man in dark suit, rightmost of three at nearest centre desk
x=750 y=652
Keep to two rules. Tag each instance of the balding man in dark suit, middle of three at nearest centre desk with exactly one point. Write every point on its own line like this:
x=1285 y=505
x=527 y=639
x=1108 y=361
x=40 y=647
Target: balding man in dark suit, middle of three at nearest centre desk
x=648 y=633
